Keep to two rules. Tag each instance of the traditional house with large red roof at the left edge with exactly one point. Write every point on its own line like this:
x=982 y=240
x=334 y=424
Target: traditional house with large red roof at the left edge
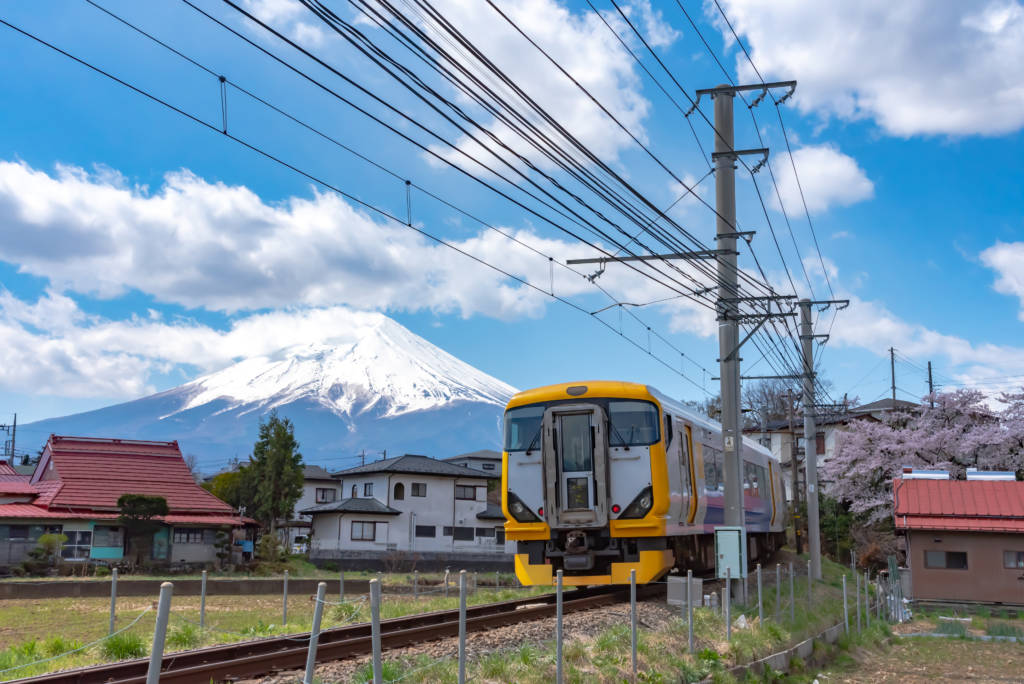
x=75 y=489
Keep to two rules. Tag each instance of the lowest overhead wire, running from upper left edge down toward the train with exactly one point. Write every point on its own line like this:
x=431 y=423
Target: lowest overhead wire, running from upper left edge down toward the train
x=332 y=188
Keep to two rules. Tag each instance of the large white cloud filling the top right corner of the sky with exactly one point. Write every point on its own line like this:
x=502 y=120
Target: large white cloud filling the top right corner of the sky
x=916 y=67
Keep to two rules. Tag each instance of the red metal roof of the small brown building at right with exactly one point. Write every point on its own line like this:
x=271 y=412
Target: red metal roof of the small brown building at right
x=964 y=505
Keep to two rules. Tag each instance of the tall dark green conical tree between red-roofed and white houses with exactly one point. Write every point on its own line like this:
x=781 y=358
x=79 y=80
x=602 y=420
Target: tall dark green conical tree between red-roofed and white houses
x=275 y=472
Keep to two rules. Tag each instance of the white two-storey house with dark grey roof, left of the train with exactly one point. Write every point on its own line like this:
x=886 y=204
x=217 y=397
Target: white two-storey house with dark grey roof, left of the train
x=411 y=509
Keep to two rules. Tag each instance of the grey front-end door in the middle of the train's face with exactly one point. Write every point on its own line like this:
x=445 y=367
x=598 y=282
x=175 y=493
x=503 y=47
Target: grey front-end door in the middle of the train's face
x=576 y=465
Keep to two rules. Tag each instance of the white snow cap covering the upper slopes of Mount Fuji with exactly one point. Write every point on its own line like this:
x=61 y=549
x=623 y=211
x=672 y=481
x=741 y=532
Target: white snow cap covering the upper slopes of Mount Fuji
x=389 y=369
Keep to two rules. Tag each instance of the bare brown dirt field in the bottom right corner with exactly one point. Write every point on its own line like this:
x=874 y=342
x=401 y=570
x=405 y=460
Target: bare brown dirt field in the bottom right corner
x=926 y=661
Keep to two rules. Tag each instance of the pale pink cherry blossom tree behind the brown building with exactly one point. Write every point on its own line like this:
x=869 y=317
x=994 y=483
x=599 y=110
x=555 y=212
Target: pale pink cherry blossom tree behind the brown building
x=964 y=430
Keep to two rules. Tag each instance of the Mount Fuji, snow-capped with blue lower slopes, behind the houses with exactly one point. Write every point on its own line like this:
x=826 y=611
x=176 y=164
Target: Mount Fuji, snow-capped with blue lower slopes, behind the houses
x=387 y=389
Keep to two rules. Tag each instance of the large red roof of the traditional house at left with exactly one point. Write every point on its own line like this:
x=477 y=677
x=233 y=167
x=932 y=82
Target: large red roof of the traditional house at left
x=95 y=474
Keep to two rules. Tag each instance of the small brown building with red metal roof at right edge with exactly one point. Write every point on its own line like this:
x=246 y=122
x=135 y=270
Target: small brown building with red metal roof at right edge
x=965 y=539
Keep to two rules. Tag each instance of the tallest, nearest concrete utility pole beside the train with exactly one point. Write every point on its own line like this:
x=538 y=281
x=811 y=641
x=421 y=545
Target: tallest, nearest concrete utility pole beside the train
x=729 y=324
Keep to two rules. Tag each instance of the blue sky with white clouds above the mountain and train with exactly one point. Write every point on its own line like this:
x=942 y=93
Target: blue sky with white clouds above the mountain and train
x=141 y=250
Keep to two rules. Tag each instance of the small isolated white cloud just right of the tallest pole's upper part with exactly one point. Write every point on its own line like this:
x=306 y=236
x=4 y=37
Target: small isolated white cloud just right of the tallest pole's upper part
x=828 y=177
